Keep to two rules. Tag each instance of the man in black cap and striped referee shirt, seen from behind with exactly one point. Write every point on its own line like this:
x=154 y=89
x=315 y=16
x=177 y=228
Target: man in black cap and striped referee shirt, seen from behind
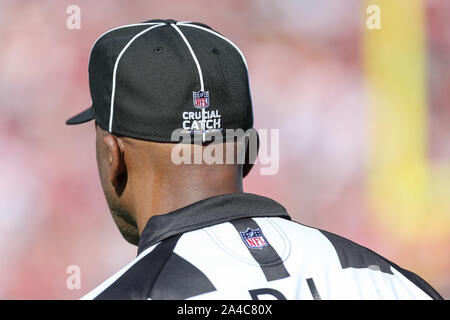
x=199 y=236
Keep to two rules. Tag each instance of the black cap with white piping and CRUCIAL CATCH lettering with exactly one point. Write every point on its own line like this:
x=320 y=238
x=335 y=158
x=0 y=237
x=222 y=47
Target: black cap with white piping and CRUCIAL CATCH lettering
x=149 y=79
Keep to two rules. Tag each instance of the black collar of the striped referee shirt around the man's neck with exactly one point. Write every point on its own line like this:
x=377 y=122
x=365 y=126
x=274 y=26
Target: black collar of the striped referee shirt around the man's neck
x=208 y=212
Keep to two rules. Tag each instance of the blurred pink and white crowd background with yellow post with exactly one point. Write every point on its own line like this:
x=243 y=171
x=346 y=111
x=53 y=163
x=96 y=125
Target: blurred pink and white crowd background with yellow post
x=315 y=73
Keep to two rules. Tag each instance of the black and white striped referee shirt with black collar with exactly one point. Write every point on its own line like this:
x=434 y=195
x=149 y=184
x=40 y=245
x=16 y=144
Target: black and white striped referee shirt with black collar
x=245 y=246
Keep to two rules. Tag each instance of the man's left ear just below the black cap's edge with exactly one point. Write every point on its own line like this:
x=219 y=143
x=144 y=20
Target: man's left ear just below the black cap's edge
x=117 y=168
